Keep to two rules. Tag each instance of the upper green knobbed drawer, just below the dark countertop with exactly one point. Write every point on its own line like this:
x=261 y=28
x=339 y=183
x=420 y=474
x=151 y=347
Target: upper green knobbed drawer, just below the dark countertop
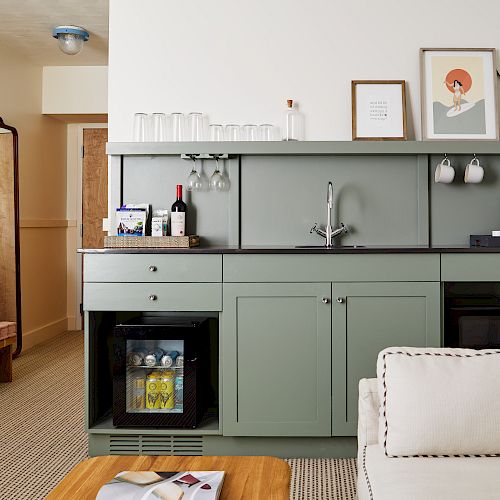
x=145 y=268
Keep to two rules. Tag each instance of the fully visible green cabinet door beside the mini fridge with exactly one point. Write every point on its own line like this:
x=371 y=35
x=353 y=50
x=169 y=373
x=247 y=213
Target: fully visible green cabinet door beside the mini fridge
x=276 y=359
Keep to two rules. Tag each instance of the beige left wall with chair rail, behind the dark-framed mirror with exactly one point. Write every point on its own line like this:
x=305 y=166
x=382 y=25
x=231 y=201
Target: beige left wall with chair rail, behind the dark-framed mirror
x=42 y=156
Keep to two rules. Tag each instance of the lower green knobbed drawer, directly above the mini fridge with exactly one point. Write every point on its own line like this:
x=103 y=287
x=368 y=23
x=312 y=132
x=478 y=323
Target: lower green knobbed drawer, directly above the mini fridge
x=152 y=297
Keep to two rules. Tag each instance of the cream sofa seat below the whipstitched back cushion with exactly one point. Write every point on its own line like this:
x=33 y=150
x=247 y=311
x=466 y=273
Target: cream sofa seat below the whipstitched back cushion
x=383 y=478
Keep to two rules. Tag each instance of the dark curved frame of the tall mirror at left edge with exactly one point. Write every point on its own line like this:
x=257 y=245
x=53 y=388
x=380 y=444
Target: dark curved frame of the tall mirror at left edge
x=15 y=145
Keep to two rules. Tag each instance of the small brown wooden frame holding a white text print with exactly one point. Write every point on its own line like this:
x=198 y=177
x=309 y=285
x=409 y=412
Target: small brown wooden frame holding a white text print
x=379 y=110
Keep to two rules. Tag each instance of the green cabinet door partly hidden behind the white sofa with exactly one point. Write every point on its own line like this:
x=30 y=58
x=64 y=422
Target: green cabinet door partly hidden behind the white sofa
x=368 y=317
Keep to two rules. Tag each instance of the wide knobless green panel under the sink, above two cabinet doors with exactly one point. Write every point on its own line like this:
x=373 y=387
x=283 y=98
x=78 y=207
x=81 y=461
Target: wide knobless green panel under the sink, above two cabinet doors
x=336 y=268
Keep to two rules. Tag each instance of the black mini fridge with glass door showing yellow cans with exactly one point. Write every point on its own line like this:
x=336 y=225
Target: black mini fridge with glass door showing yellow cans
x=161 y=372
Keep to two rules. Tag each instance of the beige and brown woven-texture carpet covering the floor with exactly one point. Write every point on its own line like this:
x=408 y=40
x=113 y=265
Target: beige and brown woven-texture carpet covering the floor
x=42 y=436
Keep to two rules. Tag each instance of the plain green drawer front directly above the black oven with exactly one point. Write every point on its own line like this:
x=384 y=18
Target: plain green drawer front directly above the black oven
x=468 y=267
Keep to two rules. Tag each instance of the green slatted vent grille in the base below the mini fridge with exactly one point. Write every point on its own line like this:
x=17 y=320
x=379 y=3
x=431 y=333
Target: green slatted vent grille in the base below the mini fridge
x=155 y=445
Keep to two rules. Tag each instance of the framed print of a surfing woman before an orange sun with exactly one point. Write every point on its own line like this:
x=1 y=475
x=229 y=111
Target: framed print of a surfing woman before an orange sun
x=458 y=94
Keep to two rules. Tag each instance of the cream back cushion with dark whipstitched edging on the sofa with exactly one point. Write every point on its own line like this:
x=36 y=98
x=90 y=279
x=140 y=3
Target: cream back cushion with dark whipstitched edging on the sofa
x=439 y=401
